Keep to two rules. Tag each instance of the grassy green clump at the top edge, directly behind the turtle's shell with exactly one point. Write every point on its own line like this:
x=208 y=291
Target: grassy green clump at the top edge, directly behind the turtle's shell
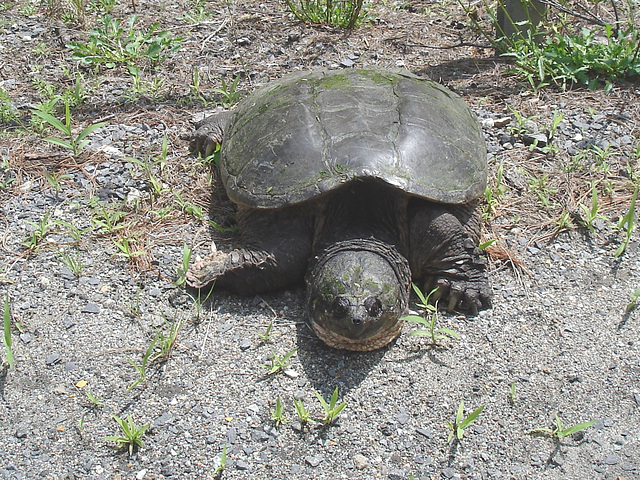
x=344 y=13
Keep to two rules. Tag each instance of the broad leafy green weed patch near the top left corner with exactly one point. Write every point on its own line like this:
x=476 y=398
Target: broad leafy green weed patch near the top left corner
x=116 y=44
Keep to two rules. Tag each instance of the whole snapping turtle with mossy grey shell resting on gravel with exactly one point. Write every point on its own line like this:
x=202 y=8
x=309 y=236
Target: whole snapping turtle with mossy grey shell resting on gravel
x=357 y=182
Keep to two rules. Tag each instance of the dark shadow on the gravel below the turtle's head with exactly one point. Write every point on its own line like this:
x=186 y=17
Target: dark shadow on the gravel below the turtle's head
x=327 y=368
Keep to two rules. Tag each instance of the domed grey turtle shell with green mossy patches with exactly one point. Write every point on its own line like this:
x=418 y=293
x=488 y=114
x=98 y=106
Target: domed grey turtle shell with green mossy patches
x=310 y=132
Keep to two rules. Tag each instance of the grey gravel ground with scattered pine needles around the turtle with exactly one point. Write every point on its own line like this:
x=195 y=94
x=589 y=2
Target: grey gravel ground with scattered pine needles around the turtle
x=558 y=333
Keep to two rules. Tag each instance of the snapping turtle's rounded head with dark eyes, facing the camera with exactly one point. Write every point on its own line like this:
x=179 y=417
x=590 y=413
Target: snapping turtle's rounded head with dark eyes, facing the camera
x=356 y=295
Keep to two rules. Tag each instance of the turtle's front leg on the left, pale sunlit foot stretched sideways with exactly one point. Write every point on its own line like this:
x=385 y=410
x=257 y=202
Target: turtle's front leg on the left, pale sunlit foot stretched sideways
x=276 y=249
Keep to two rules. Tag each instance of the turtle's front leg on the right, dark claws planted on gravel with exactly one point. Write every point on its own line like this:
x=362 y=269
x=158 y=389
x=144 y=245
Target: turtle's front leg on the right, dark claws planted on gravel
x=445 y=254
